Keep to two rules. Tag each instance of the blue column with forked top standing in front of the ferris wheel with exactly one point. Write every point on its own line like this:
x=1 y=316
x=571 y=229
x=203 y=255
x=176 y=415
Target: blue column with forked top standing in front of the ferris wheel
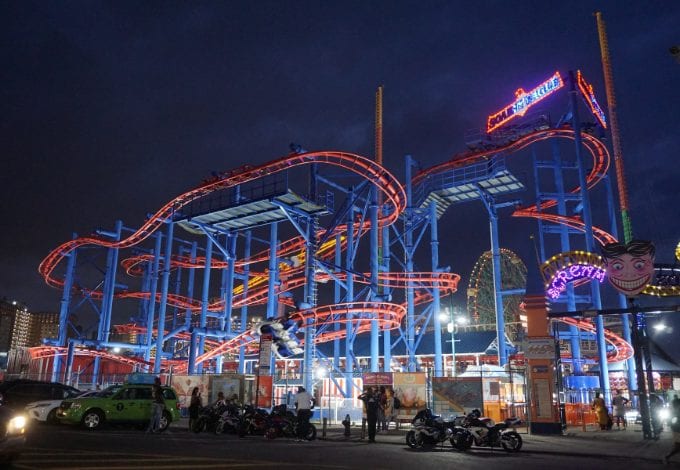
x=492 y=209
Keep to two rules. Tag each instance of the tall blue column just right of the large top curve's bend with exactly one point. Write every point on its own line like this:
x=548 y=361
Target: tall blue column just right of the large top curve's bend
x=408 y=248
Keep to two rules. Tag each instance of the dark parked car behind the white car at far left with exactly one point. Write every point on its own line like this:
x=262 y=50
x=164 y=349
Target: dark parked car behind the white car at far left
x=18 y=393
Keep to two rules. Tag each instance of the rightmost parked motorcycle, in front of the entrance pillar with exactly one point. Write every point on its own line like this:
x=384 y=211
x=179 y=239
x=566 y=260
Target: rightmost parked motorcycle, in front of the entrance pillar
x=474 y=429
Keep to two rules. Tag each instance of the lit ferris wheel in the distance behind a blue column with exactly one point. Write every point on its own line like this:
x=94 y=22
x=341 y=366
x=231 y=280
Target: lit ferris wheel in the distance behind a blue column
x=481 y=303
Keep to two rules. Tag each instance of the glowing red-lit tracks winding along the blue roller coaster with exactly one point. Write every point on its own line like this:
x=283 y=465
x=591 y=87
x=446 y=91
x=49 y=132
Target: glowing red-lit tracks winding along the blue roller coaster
x=394 y=192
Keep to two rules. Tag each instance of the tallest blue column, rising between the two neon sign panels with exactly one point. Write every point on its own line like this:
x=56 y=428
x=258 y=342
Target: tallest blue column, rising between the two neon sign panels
x=590 y=241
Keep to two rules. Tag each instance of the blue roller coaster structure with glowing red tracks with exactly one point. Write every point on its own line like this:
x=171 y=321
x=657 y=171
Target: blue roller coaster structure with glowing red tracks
x=190 y=333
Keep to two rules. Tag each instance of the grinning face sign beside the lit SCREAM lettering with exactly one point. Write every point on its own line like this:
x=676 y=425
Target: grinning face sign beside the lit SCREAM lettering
x=630 y=267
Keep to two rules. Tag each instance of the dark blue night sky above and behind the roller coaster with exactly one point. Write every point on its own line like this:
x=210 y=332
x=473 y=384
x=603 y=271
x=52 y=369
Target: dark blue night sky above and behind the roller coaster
x=110 y=109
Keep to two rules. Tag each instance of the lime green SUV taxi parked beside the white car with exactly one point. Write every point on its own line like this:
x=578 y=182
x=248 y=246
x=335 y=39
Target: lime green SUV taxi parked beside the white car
x=118 y=404
